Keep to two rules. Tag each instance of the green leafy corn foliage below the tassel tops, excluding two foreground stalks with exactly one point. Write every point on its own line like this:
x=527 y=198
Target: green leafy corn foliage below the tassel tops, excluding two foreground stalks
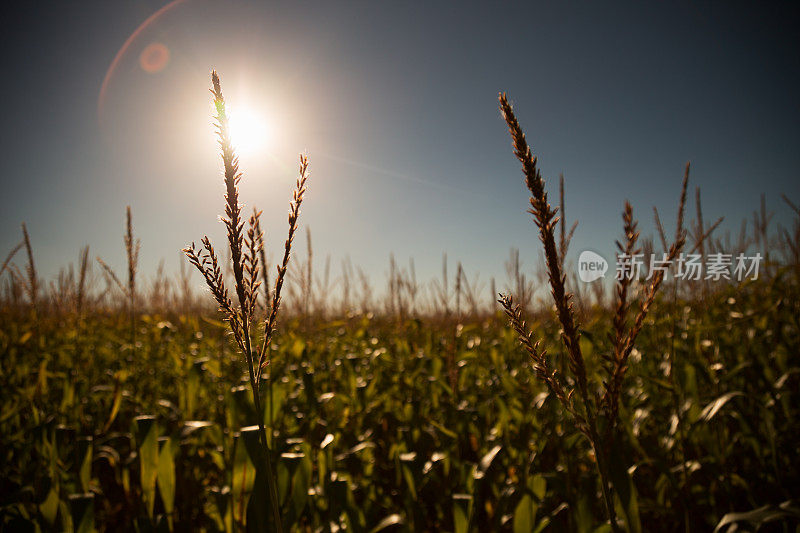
x=372 y=428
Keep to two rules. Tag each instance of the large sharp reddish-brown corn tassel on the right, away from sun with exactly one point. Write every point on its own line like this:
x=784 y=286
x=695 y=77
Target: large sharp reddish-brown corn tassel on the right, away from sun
x=588 y=410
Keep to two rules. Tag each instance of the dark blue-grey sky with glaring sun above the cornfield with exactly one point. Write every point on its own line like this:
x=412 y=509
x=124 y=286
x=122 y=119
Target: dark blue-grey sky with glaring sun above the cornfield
x=395 y=103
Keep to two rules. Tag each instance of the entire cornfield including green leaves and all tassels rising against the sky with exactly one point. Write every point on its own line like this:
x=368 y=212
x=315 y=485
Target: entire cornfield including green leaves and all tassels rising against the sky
x=658 y=405
